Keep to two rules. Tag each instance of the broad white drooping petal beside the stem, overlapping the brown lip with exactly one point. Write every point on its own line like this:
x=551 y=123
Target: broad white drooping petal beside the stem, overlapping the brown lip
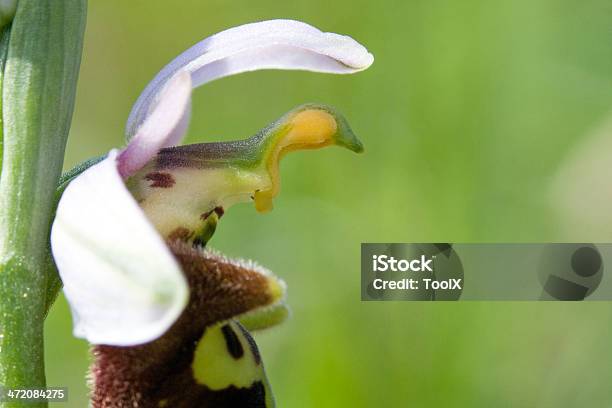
x=123 y=284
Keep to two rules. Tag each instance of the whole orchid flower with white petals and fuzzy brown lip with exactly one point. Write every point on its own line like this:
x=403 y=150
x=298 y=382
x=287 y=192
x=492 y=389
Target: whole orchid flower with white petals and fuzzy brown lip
x=130 y=232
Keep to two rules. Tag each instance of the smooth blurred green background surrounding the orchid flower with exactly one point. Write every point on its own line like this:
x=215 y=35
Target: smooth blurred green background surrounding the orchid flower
x=468 y=114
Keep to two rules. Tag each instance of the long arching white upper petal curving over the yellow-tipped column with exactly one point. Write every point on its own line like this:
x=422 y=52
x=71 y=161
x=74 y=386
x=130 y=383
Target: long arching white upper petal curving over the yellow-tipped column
x=274 y=44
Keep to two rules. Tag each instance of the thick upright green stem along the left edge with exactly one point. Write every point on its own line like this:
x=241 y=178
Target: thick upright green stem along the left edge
x=39 y=82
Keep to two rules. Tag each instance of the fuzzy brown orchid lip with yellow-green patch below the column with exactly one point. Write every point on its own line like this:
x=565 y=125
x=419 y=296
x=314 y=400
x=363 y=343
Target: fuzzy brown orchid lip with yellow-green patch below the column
x=205 y=359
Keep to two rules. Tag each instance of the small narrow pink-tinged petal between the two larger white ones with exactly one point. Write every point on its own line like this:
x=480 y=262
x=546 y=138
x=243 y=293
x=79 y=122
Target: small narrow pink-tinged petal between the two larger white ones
x=164 y=126
